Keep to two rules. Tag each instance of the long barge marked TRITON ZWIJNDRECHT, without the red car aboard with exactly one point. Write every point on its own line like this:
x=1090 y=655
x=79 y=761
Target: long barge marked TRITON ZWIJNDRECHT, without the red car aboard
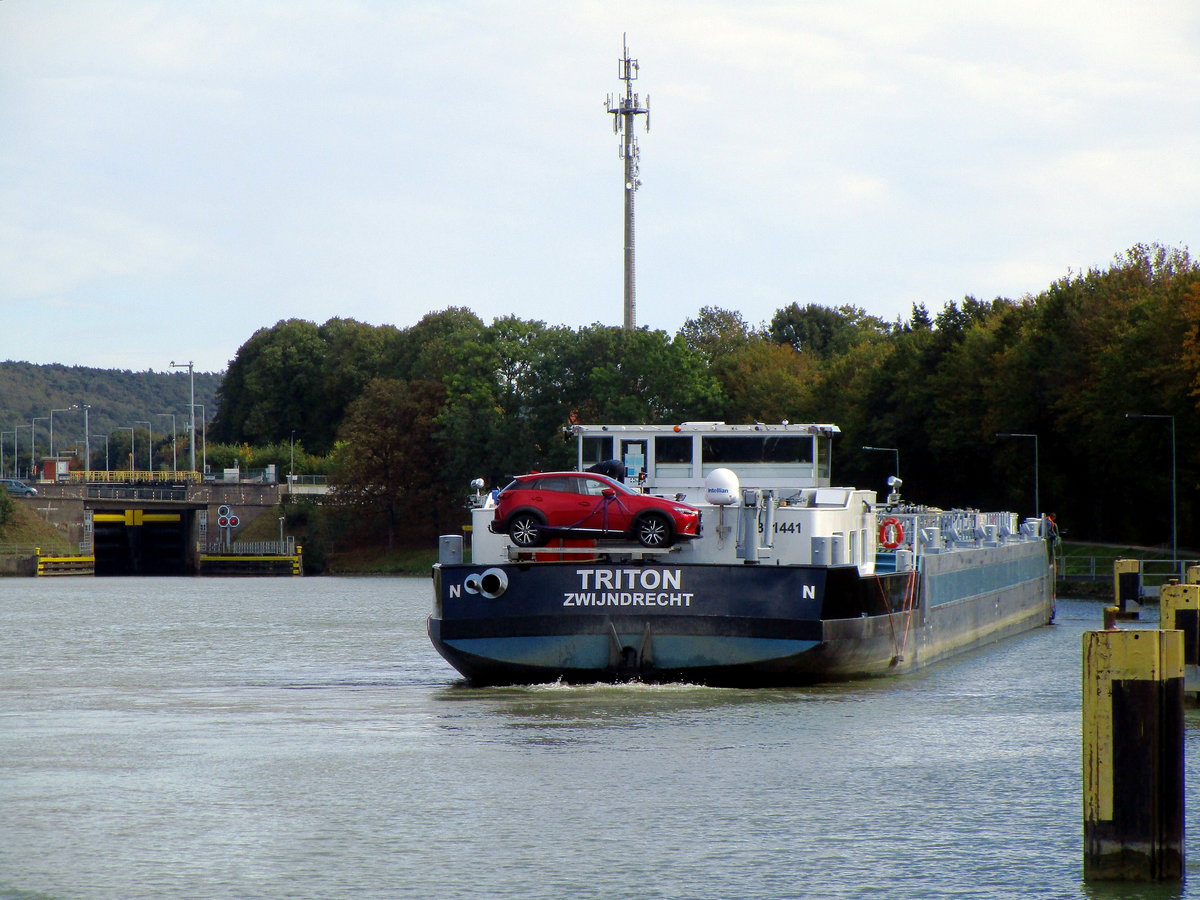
x=789 y=581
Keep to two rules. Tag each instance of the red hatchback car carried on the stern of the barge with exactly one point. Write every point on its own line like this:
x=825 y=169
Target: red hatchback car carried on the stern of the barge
x=535 y=508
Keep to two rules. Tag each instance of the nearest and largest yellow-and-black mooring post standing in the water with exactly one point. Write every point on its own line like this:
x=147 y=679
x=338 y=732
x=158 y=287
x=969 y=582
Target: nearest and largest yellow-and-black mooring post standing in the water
x=1133 y=755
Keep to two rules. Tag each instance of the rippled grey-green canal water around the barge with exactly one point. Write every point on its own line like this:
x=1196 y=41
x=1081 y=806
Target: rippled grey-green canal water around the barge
x=301 y=739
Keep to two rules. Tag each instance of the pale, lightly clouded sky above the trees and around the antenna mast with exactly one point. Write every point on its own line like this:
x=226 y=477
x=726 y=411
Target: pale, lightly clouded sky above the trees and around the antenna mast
x=176 y=176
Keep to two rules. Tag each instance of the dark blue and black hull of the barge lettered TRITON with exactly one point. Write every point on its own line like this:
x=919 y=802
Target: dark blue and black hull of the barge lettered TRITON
x=737 y=626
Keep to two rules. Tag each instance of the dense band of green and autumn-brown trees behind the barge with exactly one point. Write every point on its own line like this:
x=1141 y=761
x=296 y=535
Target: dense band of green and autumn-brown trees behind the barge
x=409 y=417
